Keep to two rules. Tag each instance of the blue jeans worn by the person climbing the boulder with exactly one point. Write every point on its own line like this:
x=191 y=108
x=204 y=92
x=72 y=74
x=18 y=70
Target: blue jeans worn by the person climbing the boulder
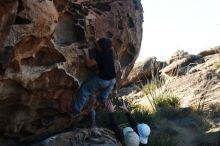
x=89 y=88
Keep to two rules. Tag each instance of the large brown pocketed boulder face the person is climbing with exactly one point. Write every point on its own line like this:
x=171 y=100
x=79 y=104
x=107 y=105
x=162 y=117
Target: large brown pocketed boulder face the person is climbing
x=40 y=67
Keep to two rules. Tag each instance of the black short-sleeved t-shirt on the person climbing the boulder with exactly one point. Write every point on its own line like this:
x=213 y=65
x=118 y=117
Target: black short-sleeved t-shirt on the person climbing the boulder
x=105 y=63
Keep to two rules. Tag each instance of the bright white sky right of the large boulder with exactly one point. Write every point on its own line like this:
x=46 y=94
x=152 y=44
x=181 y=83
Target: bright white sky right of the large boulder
x=170 y=25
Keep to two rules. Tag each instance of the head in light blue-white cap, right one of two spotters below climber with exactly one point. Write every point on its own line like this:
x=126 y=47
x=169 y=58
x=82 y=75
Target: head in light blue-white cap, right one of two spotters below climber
x=144 y=132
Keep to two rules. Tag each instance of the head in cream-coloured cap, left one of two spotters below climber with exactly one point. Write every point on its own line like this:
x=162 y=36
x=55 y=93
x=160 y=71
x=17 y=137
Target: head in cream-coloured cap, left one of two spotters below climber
x=130 y=137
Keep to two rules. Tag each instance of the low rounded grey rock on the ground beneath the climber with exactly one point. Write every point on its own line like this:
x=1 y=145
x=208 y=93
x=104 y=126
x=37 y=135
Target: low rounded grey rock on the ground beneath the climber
x=79 y=136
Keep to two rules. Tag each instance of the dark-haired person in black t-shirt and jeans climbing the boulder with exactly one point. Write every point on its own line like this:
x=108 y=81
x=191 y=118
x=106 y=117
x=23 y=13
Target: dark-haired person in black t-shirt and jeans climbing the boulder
x=103 y=57
